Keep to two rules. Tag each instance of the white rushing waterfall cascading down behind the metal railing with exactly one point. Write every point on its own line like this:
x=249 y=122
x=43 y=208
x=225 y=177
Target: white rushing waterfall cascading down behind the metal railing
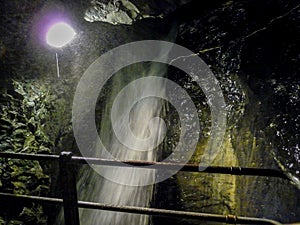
x=129 y=131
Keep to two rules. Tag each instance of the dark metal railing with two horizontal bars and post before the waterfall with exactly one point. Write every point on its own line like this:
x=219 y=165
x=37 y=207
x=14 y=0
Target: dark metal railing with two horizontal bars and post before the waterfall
x=71 y=204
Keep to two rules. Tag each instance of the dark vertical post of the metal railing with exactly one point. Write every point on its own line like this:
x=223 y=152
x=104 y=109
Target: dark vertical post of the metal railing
x=70 y=203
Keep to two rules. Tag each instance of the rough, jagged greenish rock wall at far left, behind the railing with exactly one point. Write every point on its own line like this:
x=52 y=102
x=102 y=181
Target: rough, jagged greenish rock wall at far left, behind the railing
x=26 y=108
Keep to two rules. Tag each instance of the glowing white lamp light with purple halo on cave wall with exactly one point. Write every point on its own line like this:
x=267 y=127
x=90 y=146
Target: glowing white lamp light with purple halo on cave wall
x=60 y=34
